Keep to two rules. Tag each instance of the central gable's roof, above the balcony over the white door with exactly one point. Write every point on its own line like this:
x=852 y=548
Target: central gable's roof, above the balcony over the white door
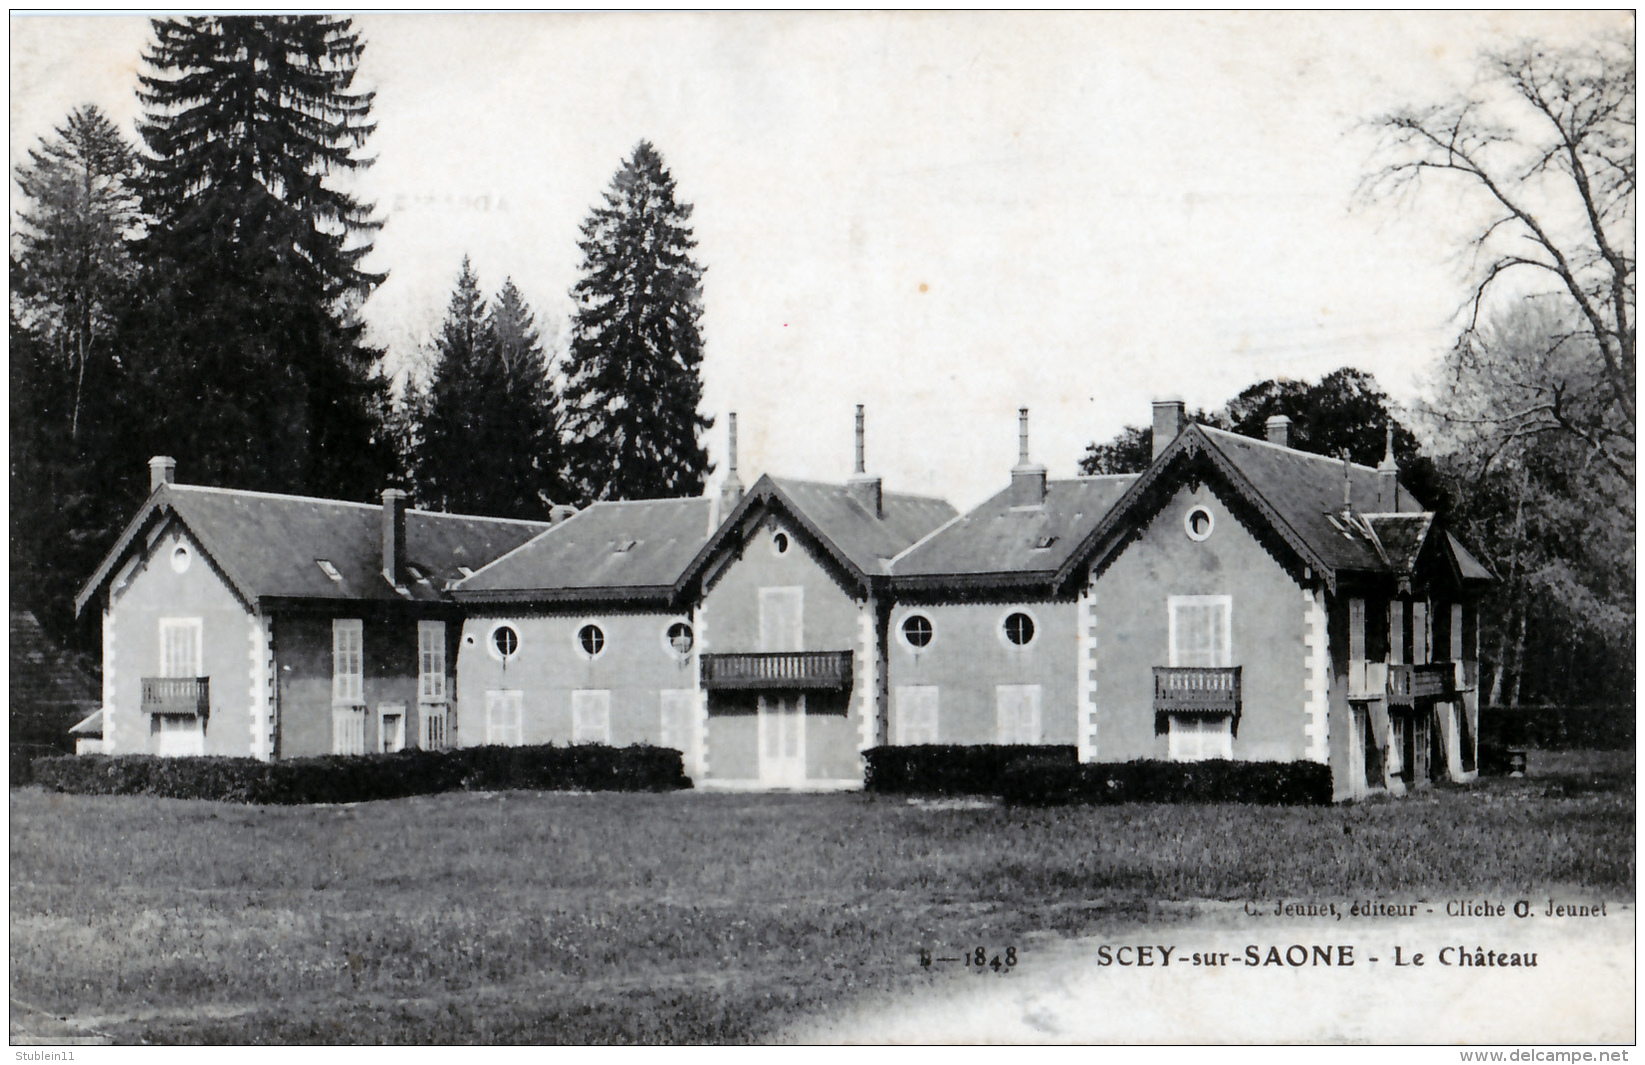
x=850 y=534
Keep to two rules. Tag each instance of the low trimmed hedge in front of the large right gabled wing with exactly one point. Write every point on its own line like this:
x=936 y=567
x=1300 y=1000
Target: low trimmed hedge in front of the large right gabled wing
x=1282 y=784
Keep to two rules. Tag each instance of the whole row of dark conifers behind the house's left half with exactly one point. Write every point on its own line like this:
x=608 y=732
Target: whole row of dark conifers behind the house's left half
x=198 y=294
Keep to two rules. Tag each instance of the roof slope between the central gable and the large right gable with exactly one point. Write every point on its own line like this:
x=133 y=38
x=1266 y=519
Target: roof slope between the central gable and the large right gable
x=1014 y=544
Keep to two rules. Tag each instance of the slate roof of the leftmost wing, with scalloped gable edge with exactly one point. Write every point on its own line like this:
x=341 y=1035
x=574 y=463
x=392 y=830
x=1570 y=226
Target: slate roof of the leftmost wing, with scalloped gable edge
x=271 y=546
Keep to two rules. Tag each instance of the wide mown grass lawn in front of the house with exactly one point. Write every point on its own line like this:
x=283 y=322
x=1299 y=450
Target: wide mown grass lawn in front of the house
x=688 y=918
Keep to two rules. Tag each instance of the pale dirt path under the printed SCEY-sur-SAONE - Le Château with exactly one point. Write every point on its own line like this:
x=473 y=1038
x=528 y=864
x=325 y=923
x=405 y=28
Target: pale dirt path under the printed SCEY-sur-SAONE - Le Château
x=1580 y=992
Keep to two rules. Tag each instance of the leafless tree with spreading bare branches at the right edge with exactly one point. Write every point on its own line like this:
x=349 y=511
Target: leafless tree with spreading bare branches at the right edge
x=1545 y=141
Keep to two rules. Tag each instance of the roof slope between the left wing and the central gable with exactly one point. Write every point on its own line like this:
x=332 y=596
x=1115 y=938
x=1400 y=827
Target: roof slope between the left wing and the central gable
x=611 y=551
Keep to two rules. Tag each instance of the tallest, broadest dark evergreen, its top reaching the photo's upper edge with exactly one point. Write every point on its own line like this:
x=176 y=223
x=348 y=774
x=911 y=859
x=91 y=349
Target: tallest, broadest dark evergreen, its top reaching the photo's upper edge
x=251 y=346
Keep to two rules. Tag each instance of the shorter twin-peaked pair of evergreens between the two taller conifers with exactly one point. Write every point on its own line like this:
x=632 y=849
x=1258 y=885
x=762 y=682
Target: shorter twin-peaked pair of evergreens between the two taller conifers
x=488 y=439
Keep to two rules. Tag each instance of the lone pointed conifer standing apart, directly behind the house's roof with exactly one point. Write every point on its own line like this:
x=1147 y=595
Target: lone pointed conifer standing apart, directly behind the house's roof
x=634 y=371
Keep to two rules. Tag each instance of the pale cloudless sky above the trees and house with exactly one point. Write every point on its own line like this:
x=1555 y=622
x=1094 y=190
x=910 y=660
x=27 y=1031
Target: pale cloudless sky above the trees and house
x=942 y=216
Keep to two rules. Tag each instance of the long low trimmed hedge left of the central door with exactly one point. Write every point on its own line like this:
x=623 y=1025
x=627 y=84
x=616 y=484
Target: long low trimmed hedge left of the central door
x=340 y=779
